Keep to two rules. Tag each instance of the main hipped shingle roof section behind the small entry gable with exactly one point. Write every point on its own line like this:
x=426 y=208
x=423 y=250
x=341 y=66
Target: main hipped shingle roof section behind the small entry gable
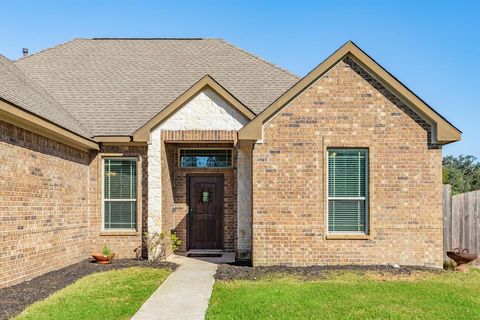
x=114 y=86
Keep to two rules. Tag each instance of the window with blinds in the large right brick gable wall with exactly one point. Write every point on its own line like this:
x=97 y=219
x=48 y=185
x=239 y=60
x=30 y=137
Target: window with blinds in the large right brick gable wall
x=348 y=191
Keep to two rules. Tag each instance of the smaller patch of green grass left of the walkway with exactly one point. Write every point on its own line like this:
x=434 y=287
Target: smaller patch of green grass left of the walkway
x=115 y=294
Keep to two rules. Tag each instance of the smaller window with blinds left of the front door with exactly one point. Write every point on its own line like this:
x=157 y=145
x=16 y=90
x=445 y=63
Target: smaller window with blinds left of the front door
x=120 y=193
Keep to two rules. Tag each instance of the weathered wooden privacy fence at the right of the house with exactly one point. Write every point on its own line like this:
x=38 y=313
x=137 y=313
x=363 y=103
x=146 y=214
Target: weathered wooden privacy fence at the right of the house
x=461 y=218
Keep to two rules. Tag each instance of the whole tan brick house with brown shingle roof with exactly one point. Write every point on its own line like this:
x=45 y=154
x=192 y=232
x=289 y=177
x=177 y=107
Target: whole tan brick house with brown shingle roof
x=104 y=140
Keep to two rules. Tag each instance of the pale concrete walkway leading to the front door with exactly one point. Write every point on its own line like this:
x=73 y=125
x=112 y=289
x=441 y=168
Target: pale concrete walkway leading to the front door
x=183 y=295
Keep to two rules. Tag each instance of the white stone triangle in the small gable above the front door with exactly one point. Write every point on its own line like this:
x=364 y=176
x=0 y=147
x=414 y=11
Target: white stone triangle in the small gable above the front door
x=206 y=111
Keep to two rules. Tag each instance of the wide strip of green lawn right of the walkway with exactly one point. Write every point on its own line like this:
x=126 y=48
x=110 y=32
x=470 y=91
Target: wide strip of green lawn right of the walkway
x=350 y=296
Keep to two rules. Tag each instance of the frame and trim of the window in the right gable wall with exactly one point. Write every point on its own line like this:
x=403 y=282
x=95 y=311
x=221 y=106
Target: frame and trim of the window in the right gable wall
x=366 y=198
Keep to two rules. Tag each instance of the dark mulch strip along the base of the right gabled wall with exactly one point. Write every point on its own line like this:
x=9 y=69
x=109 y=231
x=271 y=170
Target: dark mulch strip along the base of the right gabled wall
x=228 y=272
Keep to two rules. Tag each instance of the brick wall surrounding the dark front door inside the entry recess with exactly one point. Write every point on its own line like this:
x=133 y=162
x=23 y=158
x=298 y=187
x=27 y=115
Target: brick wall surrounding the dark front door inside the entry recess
x=174 y=197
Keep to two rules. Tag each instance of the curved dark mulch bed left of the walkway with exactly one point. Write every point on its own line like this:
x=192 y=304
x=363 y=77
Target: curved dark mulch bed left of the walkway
x=14 y=299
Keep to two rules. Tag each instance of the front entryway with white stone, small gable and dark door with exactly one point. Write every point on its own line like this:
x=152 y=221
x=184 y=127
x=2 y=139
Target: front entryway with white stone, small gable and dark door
x=197 y=135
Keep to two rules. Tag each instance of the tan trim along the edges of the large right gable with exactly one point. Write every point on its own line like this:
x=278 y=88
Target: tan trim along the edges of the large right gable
x=444 y=131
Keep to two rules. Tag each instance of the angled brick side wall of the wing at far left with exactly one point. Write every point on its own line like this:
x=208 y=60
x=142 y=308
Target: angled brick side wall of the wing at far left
x=44 y=205
